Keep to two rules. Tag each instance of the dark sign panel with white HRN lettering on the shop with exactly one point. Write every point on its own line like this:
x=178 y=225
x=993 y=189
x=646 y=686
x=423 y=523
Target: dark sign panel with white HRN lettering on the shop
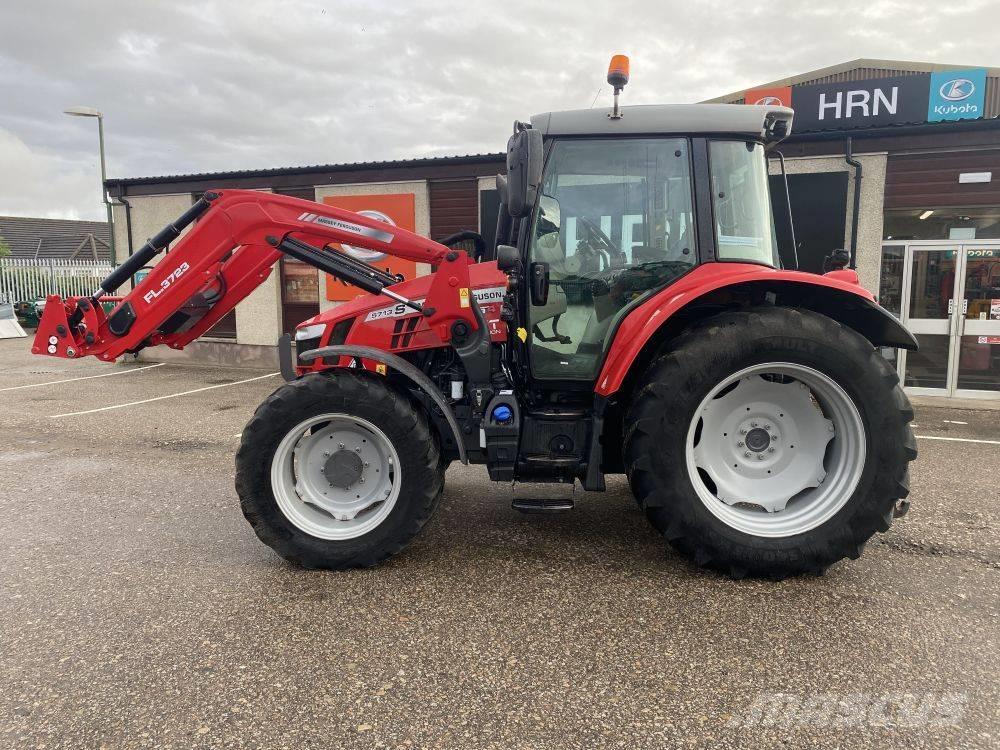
x=852 y=104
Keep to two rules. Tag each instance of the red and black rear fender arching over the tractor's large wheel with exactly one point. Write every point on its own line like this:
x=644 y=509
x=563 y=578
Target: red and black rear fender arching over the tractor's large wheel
x=834 y=295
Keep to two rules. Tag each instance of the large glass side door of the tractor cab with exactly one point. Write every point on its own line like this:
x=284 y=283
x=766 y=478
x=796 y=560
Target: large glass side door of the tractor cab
x=614 y=224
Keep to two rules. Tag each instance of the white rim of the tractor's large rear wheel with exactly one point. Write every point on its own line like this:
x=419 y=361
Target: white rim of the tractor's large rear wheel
x=776 y=449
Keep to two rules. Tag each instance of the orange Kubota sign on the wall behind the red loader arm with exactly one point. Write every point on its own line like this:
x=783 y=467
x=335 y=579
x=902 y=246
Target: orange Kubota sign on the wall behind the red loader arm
x=397 y=209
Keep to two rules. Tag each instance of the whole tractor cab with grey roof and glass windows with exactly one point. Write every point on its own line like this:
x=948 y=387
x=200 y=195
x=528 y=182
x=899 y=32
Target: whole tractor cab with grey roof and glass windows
x=609 y=208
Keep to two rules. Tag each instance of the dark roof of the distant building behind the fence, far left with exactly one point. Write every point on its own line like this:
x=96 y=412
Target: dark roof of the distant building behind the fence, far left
x=56 y=238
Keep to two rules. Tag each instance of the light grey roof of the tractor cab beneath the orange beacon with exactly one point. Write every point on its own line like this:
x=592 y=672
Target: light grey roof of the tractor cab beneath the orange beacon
x=659 y=119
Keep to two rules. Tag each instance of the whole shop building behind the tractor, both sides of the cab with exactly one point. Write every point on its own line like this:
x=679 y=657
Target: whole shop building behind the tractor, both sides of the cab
x=893 y=160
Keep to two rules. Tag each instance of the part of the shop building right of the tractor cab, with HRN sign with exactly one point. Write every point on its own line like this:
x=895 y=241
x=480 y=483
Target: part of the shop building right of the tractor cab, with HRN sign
x=901 y=161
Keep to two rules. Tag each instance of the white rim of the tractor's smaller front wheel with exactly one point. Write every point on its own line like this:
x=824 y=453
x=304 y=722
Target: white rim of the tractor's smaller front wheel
x=335 y=476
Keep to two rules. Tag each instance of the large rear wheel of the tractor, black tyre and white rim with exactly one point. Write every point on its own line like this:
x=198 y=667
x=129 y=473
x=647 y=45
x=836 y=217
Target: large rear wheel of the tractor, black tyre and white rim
x=686 y=421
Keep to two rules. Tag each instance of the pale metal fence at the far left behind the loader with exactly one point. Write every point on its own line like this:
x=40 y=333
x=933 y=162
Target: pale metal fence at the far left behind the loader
x=26 y=279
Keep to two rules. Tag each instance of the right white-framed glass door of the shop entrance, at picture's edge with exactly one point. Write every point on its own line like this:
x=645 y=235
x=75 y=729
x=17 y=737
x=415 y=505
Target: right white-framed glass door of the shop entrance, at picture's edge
x=977 y=371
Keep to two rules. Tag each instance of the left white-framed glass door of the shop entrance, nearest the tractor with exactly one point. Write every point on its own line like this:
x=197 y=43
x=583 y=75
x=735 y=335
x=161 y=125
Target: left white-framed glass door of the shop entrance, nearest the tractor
x=930 y=303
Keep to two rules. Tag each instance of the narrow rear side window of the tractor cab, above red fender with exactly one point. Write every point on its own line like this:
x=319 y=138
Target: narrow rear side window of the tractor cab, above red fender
x=744 y=226
